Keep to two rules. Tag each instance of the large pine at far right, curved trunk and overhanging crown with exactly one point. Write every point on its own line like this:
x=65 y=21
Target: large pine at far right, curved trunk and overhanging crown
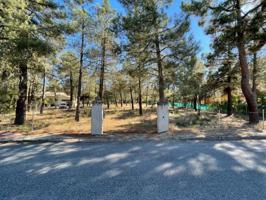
x=234 y=22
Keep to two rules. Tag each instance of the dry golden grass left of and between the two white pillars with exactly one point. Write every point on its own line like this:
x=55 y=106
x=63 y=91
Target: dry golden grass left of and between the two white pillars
x=54 y=121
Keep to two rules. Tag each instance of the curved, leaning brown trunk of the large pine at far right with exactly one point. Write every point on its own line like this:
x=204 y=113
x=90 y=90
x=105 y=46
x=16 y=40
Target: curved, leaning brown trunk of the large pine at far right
x=246 y=89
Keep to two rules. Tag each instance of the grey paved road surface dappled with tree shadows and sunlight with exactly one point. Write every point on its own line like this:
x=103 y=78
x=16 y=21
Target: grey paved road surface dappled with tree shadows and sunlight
x=134 y=170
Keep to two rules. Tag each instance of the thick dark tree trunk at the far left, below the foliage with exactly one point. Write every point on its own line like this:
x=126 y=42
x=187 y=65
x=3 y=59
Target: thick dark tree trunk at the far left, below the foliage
x=21 y=102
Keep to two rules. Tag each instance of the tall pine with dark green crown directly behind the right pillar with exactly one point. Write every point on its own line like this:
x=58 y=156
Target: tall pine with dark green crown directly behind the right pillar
x=152 y=40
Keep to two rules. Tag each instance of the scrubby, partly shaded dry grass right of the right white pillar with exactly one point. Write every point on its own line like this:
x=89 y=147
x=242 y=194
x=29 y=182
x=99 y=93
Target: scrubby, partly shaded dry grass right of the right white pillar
x=187 y=122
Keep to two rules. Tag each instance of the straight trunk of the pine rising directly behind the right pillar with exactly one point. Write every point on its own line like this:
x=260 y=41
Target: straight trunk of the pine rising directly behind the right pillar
x=160 y=71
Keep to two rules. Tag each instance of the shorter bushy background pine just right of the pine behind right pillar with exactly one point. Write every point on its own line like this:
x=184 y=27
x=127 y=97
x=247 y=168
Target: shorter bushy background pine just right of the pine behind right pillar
x=184 y=69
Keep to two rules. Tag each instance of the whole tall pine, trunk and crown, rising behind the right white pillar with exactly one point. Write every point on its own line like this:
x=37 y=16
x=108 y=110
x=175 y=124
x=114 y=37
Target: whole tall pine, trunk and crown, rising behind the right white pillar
x=147 y=27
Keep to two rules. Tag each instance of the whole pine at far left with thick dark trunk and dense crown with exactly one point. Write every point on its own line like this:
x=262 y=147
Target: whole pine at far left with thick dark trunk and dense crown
x=26 y=27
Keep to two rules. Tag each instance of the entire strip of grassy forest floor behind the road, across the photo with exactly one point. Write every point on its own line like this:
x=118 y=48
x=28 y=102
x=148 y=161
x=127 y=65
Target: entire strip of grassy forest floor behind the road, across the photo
x=124 y=121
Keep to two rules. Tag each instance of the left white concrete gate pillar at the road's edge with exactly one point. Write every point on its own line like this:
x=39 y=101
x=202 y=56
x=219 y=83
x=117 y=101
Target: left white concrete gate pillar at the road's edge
x=97 y=118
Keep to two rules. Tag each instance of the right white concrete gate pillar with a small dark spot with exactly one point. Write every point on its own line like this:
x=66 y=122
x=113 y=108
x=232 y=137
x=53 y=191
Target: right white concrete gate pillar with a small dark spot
x=162 y=117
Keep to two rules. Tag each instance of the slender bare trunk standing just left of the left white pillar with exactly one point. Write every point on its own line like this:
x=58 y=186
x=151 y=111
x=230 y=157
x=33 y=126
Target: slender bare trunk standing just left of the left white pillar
x=80 y=73
